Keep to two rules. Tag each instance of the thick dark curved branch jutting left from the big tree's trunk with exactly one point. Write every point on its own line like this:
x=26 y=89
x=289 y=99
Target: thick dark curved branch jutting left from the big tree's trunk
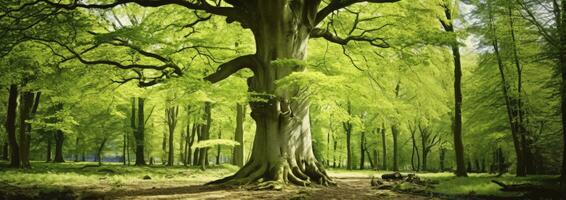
x=225 y=70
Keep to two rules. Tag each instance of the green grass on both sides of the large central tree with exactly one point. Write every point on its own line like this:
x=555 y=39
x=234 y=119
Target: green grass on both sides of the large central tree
x=110 y=176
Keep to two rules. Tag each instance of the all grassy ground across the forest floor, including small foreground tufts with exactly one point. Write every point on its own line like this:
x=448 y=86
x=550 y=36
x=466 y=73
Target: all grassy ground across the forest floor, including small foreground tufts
x=48 y=179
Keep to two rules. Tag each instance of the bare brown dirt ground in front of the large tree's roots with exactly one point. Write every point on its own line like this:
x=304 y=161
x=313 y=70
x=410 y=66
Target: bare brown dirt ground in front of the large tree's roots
x=349 y=187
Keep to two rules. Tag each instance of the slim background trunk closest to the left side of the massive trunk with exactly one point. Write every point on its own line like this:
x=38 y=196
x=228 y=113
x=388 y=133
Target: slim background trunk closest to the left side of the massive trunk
x=238 y=155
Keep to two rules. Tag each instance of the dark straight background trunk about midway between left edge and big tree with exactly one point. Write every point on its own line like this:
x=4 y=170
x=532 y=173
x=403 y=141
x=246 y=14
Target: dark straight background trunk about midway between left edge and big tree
x=139 y=131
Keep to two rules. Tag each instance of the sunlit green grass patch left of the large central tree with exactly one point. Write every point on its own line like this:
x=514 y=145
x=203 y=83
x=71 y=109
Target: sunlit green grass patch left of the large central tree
x=71 y=174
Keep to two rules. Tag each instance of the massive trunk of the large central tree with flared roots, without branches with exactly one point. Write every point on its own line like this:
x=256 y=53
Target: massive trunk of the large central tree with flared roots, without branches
x=282 y=149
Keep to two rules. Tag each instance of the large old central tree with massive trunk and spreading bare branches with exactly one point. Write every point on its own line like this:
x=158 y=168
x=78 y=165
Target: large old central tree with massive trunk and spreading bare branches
x=282 y=149
